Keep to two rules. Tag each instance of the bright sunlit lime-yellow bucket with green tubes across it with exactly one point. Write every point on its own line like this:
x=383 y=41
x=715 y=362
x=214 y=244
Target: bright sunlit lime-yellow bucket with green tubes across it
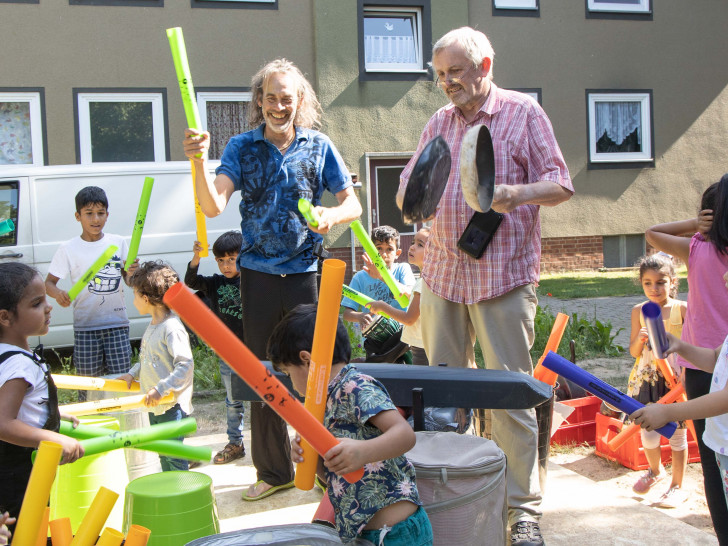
x=77 y=483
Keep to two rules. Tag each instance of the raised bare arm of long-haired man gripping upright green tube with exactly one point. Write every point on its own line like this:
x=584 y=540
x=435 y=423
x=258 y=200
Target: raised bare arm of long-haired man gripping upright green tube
x=212 y=193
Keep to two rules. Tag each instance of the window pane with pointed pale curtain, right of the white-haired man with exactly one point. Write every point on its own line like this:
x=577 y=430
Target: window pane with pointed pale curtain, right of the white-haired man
x=618 y=127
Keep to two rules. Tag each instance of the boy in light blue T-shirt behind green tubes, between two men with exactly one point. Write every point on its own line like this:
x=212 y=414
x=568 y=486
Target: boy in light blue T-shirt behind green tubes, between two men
x=369 y=282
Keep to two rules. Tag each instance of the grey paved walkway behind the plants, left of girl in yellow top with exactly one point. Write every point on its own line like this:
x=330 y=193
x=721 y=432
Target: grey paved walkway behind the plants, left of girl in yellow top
x=615 y=310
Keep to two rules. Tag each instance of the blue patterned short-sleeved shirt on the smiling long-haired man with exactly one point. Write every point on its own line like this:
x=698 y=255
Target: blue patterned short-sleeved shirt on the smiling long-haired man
x=276 y=238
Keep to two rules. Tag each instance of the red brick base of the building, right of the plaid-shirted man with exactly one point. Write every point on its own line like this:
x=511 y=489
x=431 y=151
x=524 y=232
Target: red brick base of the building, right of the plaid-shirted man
x=571 y=253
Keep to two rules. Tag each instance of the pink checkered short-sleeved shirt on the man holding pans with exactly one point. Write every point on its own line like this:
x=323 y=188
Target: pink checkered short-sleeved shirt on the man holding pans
x=526 y=151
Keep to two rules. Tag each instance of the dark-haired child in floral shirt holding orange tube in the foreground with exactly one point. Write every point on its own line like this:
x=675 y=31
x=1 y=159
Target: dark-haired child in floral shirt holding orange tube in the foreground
x=384 y=506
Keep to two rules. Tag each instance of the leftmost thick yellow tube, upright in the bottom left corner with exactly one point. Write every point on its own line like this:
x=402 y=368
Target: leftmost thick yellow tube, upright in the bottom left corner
x=37 y=493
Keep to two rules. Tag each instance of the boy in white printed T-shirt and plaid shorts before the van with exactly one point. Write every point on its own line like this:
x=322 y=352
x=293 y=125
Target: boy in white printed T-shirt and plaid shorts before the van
x=100 y=324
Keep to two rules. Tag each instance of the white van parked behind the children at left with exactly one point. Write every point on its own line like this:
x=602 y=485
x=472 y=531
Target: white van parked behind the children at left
x=40 y=202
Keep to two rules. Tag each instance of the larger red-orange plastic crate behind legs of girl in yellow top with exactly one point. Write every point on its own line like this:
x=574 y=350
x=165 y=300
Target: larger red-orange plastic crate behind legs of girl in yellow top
x=631 y=454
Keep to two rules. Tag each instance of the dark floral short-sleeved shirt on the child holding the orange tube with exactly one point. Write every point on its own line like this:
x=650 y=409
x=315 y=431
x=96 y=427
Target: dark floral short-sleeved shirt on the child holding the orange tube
x=353 y=399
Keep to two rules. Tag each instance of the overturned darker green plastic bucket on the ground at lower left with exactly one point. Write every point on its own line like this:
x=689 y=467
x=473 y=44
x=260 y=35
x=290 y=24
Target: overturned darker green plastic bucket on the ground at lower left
x=176 y=506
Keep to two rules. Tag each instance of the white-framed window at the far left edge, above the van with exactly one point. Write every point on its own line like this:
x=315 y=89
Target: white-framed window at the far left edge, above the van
x=21 y=127
